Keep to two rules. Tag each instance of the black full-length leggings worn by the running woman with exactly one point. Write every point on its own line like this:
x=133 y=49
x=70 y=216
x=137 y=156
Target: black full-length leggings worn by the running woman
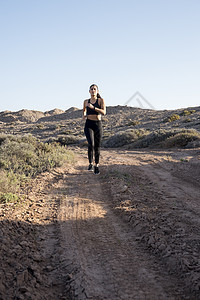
x=93 y=132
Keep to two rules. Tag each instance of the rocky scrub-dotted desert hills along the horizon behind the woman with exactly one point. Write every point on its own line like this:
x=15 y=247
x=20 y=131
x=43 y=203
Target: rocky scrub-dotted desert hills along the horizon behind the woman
x=123 y=125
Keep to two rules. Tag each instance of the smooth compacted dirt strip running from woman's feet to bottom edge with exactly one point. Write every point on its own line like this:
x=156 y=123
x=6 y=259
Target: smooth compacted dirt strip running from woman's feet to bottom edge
x=98 y=250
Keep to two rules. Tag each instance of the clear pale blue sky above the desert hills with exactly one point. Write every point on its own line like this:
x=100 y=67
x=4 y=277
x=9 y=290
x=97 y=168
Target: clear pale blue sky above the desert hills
x=52 y=50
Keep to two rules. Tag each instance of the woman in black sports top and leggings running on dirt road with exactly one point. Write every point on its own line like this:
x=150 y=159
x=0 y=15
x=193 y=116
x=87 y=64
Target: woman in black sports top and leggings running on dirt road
x=93 y=109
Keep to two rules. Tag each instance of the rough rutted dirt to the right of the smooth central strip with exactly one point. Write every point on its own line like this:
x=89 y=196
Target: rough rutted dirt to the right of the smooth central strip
x=161 y=204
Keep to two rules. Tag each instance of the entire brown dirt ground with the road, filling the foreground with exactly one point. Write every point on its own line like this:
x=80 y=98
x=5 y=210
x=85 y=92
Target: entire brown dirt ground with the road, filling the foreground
x=130 y=233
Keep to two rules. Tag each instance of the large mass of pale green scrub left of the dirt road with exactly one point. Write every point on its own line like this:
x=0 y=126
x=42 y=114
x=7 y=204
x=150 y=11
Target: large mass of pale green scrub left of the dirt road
x=23 y=157
